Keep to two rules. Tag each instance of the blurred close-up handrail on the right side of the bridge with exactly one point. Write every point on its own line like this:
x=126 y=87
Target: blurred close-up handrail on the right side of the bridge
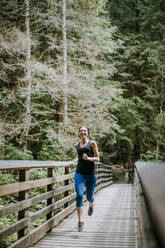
x=151 y=193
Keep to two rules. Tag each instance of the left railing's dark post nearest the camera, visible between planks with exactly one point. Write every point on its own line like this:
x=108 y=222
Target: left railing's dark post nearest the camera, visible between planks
x=23 y=195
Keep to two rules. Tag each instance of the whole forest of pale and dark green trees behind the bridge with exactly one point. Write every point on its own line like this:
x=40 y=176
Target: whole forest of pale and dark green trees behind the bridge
x=68 y=63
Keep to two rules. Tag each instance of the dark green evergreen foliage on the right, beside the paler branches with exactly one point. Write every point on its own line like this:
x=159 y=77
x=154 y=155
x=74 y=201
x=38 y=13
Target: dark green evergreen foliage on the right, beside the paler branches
x=140 y=71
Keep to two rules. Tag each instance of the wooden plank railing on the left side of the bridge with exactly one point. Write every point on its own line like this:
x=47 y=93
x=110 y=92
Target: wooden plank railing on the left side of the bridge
x=57 y=193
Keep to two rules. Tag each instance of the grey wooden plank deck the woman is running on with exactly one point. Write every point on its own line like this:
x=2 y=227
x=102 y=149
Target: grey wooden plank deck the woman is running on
x=113 y=224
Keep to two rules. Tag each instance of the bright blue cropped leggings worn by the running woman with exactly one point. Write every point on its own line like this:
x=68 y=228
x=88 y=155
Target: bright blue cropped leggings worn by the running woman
x=84 y=180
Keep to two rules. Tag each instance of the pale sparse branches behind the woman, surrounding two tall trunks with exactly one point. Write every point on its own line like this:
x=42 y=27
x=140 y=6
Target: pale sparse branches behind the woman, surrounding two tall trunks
x=87 y=64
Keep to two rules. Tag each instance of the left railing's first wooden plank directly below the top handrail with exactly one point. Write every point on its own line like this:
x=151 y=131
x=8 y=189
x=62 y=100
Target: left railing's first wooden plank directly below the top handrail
x=17 y=187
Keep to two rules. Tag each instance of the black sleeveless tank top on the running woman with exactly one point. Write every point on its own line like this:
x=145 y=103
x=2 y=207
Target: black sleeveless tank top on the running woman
x=84 y=166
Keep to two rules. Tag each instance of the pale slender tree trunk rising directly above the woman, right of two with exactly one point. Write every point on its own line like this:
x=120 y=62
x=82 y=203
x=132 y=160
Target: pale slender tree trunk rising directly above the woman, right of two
x=65 y=66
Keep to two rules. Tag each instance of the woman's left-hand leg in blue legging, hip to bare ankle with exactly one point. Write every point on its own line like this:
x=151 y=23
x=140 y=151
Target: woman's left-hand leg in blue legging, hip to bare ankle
x=79 y=187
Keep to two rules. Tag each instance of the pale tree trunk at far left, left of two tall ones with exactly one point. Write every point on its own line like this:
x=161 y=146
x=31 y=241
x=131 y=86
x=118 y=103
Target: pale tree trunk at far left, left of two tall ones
x=27 y=121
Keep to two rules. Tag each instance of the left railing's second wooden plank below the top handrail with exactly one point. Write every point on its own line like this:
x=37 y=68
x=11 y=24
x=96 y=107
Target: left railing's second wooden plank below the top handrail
x=32 y=201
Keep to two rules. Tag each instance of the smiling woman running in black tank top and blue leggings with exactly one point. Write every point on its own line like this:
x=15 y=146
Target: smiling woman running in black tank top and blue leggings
x=87 y=154
